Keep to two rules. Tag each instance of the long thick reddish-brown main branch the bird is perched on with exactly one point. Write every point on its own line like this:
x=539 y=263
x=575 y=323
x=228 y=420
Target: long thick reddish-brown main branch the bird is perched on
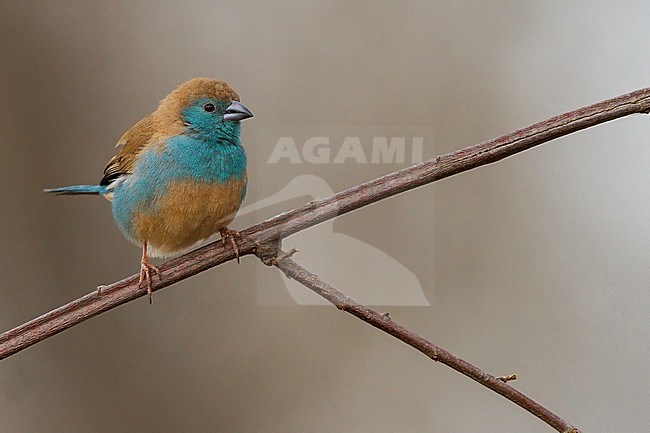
x=280 y=226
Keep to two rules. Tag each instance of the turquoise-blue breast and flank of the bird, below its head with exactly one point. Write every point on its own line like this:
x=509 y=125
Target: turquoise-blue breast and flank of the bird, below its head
x=178 y=158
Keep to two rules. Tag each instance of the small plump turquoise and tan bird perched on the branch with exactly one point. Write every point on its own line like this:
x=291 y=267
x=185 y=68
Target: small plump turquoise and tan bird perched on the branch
x=179 y=176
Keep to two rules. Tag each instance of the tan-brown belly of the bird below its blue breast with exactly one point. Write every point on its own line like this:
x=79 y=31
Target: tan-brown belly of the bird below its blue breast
x=188 y=213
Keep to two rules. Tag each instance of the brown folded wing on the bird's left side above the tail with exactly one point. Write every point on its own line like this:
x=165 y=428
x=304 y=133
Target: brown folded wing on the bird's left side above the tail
x=131 y=144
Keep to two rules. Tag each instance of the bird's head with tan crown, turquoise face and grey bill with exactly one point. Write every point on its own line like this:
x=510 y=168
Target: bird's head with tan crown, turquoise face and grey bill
x=209 y=109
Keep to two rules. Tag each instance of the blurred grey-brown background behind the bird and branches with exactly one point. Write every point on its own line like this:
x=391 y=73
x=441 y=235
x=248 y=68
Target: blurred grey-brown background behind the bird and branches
x=540 y=260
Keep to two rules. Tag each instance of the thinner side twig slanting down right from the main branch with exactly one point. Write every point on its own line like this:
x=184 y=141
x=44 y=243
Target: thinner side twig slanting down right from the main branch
x=382 y=321
